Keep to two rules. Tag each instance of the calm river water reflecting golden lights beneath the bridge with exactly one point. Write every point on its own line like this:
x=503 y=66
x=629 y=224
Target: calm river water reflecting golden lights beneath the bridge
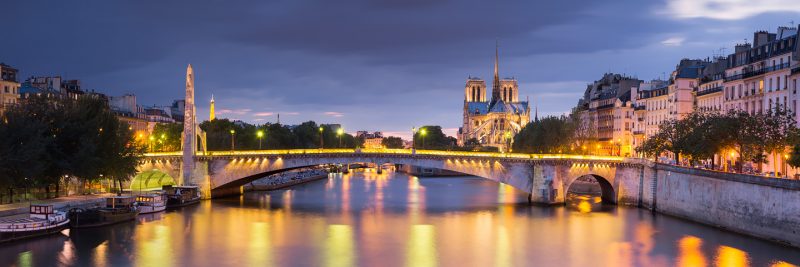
x=392 y=219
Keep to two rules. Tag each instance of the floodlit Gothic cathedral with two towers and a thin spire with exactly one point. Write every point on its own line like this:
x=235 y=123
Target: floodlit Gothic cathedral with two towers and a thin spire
x=496 y=121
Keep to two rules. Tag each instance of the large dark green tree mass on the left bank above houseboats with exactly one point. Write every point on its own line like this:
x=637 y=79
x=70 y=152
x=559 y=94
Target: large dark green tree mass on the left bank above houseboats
x=45 y=139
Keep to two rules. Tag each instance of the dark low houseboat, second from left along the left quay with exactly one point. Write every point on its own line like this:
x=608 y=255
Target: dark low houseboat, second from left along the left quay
x=117 y=209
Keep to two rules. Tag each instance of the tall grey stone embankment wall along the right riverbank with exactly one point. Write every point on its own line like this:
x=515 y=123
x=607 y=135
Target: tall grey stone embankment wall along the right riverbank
x=768 y=208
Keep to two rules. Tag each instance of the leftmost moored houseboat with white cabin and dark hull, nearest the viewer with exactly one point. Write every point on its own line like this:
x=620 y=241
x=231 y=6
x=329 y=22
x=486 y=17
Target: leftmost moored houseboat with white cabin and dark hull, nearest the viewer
x=43 y=220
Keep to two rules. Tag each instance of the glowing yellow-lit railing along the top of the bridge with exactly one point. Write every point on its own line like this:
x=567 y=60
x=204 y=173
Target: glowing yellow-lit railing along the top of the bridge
x=390 y=151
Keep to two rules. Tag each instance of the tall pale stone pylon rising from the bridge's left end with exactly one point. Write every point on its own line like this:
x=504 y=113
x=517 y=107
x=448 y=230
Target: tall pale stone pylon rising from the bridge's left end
x=189 y=136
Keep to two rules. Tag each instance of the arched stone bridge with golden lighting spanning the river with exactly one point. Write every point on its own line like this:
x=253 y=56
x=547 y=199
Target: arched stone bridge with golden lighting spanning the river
x=545 y=178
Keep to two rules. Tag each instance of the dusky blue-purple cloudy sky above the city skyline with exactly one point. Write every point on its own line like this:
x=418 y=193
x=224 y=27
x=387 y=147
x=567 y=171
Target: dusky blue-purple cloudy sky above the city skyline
x=367 y=64
